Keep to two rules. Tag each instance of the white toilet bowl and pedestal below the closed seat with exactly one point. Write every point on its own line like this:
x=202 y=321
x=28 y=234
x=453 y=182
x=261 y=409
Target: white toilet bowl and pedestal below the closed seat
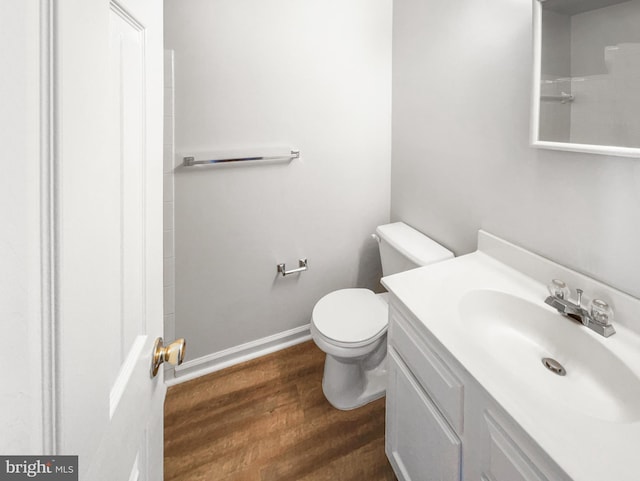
x=348 y=385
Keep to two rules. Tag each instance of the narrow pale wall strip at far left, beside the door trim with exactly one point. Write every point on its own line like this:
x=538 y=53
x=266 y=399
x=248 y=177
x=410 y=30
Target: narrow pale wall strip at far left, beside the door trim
x=20 y=289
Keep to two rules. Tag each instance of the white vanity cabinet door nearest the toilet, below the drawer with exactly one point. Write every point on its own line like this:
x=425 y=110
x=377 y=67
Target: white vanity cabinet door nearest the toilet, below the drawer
x=419 y=443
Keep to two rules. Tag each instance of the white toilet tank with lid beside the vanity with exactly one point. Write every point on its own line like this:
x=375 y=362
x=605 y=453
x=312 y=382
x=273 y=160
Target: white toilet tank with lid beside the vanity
x=403 y=248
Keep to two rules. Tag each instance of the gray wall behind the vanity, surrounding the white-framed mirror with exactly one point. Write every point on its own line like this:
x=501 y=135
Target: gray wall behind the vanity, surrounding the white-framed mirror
x=461 y=154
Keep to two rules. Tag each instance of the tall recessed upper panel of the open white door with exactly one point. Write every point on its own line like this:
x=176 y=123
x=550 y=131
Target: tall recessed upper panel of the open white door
x=126 y=89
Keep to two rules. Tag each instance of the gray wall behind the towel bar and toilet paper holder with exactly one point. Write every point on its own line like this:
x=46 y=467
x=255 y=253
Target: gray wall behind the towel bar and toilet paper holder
x=252 y=73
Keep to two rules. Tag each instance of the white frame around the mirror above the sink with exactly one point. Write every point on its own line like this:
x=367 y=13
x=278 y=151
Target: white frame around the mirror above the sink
x=535 y=105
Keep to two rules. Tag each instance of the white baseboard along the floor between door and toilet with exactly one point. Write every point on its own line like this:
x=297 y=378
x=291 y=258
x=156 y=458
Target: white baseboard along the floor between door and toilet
x=237 y=354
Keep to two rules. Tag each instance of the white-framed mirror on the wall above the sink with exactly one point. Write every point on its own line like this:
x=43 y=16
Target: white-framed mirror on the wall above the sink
x=586 y=88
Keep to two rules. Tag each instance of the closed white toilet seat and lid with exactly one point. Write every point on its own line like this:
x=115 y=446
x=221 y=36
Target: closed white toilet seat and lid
x=350 y=317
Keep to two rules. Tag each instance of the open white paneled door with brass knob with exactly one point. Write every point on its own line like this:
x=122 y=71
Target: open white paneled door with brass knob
x=109 y=95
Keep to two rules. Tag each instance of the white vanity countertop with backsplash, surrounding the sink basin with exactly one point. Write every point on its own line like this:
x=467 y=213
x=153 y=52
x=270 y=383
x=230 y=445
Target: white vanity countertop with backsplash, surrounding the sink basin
x=587 y=446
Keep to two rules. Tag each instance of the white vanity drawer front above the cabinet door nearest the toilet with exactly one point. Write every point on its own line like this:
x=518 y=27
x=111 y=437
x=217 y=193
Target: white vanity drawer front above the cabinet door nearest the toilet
x=436 y=378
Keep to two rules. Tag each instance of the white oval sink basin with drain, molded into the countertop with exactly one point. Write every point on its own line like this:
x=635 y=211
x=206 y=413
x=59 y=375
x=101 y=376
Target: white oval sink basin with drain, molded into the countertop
x=518 y=334
